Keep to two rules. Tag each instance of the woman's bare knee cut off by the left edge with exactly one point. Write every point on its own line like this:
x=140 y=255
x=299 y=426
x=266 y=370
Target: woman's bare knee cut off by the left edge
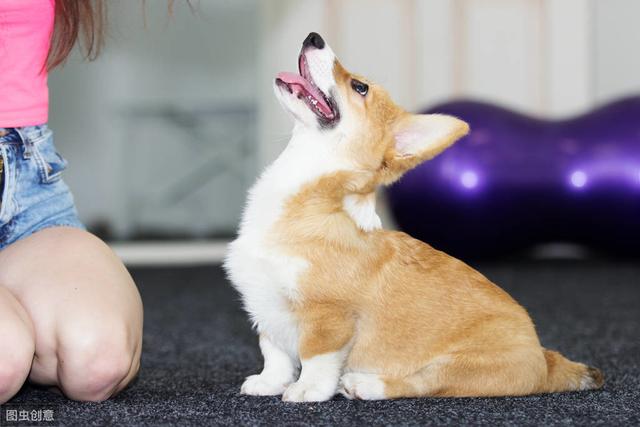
x=14 y=367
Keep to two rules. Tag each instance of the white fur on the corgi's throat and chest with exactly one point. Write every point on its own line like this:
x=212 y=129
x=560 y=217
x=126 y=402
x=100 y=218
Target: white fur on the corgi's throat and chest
x=262 y=272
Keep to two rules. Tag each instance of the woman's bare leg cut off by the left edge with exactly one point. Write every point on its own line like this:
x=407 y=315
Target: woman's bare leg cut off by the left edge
x=17 y=345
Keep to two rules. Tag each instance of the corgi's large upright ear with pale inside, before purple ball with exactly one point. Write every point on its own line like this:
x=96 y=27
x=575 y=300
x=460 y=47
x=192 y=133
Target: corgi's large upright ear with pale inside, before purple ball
x=420 y=137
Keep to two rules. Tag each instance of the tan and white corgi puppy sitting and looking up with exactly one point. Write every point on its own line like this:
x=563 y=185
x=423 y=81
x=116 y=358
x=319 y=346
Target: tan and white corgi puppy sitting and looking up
x=342 y=305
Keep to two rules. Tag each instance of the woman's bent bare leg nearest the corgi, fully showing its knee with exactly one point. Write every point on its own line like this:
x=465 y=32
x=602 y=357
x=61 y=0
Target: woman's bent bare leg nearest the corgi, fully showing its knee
x=85 y=309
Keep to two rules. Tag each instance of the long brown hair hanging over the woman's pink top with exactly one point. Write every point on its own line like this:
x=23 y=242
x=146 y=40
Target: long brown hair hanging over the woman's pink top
x=74 y=19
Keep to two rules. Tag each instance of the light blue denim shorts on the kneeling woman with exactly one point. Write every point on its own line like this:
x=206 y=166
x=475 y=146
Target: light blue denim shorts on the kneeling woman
x=34 y=196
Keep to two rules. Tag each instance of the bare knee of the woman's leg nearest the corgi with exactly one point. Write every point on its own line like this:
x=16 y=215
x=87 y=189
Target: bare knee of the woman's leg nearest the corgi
x=94 y=370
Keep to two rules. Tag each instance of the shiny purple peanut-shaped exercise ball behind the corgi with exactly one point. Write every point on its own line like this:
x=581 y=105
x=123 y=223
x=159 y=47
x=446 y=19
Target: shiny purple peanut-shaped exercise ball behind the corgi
x=517 y=181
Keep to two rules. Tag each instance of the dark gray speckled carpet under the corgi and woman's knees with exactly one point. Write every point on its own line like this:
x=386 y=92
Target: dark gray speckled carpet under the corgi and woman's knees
x=198 y=348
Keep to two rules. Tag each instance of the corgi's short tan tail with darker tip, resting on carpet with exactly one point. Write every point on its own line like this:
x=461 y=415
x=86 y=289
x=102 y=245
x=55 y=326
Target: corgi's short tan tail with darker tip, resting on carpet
x=565 y=375
